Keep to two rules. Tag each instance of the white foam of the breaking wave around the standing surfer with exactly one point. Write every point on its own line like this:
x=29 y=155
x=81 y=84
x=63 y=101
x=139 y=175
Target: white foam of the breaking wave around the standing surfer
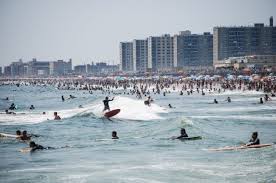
x=131 y=109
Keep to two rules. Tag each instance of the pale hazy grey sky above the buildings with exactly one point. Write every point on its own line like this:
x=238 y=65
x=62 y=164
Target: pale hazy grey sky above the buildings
x=90 y=30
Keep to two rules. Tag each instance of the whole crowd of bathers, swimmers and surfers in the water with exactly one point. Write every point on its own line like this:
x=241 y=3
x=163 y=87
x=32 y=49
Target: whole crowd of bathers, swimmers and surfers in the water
x=143 y=89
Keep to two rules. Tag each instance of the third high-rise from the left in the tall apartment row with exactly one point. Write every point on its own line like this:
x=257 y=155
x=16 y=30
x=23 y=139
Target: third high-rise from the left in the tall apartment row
x=160 y=53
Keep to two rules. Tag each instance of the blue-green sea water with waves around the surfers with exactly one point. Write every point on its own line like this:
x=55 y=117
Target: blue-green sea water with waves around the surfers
x=144 y=152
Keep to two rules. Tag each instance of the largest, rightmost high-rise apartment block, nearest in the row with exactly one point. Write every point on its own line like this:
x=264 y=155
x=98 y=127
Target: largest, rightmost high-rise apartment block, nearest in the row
x=241 y=41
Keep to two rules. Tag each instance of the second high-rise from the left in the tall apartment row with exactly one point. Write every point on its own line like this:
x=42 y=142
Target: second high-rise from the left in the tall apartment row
x=140 y=55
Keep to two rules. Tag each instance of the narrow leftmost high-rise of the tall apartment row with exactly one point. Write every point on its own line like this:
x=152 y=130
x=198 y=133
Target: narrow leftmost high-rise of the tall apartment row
x=126 y=56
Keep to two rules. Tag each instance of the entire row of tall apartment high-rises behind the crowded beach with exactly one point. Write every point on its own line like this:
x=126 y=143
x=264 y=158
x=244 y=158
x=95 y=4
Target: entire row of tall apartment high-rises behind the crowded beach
x=186 y=50
